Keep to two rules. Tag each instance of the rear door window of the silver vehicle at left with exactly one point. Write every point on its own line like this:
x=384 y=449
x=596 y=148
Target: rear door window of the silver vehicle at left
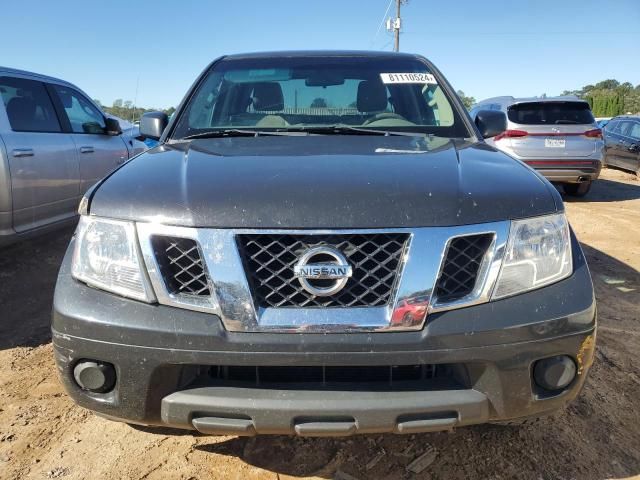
x=28 y=105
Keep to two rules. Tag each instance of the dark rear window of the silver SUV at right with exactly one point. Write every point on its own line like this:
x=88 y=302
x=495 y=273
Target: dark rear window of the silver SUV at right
x=551 y=113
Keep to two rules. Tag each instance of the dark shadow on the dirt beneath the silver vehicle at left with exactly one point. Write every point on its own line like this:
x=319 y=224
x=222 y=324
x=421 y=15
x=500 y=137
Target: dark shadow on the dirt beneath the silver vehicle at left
x=28 y=272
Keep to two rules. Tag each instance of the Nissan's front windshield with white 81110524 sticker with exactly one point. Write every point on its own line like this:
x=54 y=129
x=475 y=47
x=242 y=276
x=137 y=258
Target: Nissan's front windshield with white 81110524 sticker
x=315 y=92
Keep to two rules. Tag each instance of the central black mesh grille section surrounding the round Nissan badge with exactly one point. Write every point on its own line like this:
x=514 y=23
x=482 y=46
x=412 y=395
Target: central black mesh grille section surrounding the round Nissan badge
x=269 y=260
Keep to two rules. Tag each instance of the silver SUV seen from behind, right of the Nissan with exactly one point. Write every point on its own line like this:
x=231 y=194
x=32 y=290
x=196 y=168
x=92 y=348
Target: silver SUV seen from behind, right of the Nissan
x=557 y=136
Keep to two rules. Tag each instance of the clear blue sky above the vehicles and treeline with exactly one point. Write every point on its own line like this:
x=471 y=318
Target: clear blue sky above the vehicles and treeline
x=486 y=48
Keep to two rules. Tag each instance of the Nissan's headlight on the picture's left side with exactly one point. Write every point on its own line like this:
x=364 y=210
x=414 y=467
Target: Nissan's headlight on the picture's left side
x=106 y=256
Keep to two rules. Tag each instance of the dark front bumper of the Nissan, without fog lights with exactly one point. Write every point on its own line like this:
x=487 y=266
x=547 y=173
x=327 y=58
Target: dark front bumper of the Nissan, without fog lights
x=156 y=350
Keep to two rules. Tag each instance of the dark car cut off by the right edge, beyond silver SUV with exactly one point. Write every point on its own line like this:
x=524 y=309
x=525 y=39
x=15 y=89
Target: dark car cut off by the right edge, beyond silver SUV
x=622 y=143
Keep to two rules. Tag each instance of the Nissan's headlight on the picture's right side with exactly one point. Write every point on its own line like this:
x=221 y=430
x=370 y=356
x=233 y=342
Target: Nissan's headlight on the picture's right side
x=538 y=253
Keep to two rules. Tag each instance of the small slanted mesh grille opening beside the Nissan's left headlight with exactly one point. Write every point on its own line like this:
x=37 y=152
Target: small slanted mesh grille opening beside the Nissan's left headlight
x=181 y=266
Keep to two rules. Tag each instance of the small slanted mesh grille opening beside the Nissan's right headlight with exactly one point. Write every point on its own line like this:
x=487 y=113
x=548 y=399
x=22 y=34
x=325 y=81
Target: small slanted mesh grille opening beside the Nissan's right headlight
x=461 y=266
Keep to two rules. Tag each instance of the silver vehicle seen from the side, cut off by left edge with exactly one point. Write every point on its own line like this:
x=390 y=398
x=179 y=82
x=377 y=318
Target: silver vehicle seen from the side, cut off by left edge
x=55 y=143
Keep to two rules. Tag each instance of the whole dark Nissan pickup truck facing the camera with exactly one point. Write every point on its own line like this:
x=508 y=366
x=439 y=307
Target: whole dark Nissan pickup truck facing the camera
x=243 y=276
